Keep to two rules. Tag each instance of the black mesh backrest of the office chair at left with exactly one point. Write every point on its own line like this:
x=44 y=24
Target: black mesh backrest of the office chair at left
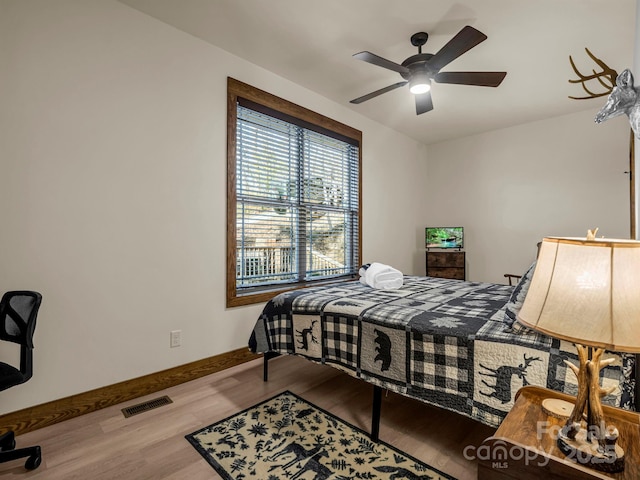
x=18 y=313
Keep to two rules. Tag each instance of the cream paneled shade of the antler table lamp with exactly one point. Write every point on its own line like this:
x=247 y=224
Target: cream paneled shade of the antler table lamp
x=586 y=292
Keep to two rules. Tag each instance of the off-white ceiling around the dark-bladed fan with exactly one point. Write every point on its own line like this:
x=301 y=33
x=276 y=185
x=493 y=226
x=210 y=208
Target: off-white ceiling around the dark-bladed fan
x=311 y=43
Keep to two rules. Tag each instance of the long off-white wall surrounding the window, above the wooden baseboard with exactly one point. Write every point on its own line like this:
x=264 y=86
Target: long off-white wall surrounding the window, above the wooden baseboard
x=113 y=198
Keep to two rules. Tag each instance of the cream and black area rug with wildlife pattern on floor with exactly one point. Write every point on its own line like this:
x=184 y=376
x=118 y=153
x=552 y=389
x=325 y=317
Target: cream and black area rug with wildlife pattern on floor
x=286 y=437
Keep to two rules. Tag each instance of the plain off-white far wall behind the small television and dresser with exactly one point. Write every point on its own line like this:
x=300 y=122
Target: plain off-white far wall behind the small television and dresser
x=512 y=187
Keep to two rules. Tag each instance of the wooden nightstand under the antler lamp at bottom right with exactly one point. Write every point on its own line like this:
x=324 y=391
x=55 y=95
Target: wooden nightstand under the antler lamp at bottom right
x=524 y=446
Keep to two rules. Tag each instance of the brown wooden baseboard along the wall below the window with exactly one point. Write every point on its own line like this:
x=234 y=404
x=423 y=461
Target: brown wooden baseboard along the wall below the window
x=49 y=413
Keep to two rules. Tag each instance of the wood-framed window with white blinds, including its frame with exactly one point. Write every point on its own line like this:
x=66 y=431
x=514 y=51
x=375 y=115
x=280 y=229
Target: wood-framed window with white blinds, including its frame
x=293 y=197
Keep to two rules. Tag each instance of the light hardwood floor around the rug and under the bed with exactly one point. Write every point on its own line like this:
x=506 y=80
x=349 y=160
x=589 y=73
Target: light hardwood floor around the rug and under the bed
x=105 y=445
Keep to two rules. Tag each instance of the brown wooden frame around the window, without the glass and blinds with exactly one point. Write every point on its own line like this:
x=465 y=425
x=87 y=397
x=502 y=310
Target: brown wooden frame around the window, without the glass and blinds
x=236 y=90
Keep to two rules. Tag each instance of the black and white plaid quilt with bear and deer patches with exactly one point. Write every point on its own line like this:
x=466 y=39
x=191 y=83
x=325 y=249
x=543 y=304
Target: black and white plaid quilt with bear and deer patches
x=437 y=340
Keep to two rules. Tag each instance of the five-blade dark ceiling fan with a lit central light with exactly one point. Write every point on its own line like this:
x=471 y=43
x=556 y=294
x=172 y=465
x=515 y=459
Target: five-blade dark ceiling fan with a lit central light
x=418 y=70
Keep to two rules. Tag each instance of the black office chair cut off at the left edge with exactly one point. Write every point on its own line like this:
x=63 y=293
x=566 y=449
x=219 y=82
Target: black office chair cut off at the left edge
x=18 y=312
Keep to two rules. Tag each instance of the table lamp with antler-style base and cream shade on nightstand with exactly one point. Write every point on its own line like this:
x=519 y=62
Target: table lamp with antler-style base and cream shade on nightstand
x=587 y=291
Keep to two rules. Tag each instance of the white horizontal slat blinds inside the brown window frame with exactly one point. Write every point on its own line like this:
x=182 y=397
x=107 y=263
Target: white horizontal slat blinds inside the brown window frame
x=297 y=202
